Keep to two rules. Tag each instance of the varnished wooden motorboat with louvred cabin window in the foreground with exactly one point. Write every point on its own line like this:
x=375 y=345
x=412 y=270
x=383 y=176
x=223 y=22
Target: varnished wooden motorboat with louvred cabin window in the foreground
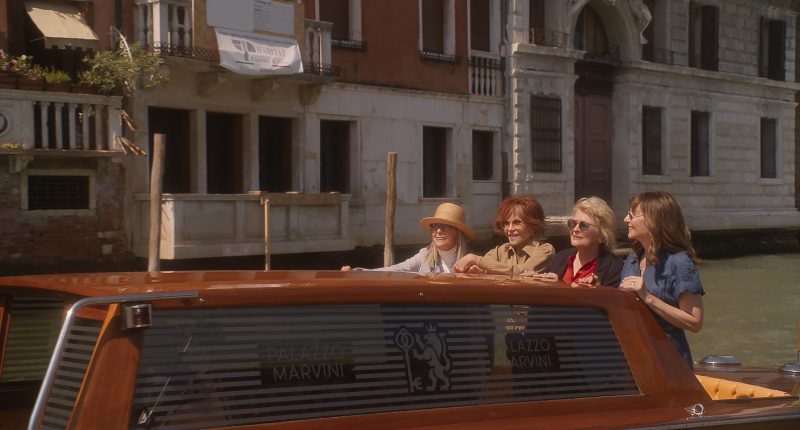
x=354 y=350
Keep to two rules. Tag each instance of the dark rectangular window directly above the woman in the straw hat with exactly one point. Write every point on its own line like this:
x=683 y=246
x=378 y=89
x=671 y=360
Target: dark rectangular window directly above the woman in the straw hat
x=434 y=161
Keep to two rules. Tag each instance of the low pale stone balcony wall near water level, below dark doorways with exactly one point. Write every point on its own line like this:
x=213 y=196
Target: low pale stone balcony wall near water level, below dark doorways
x=214 y=225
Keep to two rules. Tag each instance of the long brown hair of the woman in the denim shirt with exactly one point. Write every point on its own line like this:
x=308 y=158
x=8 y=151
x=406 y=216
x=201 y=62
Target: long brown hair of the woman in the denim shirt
x=665 y=223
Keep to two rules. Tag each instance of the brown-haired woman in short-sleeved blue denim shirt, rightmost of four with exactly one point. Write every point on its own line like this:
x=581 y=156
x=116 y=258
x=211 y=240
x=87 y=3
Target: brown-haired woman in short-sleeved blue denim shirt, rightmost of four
x=661 y=269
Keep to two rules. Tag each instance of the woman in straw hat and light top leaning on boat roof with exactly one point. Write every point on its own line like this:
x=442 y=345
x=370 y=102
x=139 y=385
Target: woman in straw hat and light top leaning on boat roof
x=449 y=235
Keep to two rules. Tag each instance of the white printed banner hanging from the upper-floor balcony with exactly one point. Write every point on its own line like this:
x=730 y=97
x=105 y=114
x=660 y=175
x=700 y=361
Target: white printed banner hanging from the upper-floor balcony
x=257 y=54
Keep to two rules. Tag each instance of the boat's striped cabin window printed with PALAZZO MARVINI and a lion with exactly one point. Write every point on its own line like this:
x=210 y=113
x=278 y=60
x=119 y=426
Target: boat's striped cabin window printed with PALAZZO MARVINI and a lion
x=226 y=367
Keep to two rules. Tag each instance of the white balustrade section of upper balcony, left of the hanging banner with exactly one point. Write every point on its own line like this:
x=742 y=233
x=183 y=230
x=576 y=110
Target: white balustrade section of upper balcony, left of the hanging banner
x=165 y=25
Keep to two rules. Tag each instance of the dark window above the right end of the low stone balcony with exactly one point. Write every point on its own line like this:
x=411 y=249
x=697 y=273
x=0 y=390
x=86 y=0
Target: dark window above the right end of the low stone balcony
x=334 y=148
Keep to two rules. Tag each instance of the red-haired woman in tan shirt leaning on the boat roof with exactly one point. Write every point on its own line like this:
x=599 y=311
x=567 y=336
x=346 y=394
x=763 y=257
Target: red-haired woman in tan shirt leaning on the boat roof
x=521 y=220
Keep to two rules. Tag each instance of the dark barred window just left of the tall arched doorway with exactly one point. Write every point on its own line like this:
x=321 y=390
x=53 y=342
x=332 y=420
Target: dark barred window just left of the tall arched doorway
x=546 y=134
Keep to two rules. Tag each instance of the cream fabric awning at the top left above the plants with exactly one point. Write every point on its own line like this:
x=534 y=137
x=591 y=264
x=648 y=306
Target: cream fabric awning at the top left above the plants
x=61 y=24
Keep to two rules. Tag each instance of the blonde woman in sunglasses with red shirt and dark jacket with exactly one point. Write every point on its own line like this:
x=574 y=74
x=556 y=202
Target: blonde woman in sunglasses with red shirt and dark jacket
x=591 y=260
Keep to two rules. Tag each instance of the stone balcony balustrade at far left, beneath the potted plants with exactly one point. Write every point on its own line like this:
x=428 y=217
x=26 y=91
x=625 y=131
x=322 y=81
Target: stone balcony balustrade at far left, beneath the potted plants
x=63 y=121
